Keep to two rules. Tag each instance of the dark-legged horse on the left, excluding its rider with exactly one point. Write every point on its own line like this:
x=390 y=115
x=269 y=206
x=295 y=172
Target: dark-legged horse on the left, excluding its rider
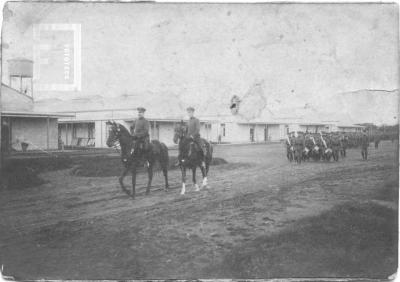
x=132 y=155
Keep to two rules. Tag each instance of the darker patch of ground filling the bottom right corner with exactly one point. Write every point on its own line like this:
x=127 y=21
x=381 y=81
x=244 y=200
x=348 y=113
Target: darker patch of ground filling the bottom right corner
x=350 y=240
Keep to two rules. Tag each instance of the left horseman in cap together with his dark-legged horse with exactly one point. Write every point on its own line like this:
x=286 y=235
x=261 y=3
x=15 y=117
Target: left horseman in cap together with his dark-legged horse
x=136 y=149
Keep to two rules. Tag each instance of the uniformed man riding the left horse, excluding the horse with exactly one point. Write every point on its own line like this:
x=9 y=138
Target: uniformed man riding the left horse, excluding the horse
x=140 y=133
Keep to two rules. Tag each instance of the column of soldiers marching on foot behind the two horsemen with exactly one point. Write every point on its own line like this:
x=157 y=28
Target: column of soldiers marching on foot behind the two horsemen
x=326 y=146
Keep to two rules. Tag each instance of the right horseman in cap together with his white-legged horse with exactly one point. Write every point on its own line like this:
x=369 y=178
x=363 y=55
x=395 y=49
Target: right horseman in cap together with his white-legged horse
x=194 y=151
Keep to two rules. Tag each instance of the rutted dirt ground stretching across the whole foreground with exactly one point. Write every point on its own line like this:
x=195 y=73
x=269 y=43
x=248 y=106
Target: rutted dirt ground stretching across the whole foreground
x=261 y=217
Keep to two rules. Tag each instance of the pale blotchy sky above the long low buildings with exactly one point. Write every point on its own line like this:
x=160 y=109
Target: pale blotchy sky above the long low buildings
x=206 y=53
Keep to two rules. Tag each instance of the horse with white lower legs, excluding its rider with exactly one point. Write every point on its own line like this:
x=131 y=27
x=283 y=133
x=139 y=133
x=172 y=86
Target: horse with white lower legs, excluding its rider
x=191 y=156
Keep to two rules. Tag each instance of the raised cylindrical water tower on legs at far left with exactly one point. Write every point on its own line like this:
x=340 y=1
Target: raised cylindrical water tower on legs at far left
x=20 y=72
